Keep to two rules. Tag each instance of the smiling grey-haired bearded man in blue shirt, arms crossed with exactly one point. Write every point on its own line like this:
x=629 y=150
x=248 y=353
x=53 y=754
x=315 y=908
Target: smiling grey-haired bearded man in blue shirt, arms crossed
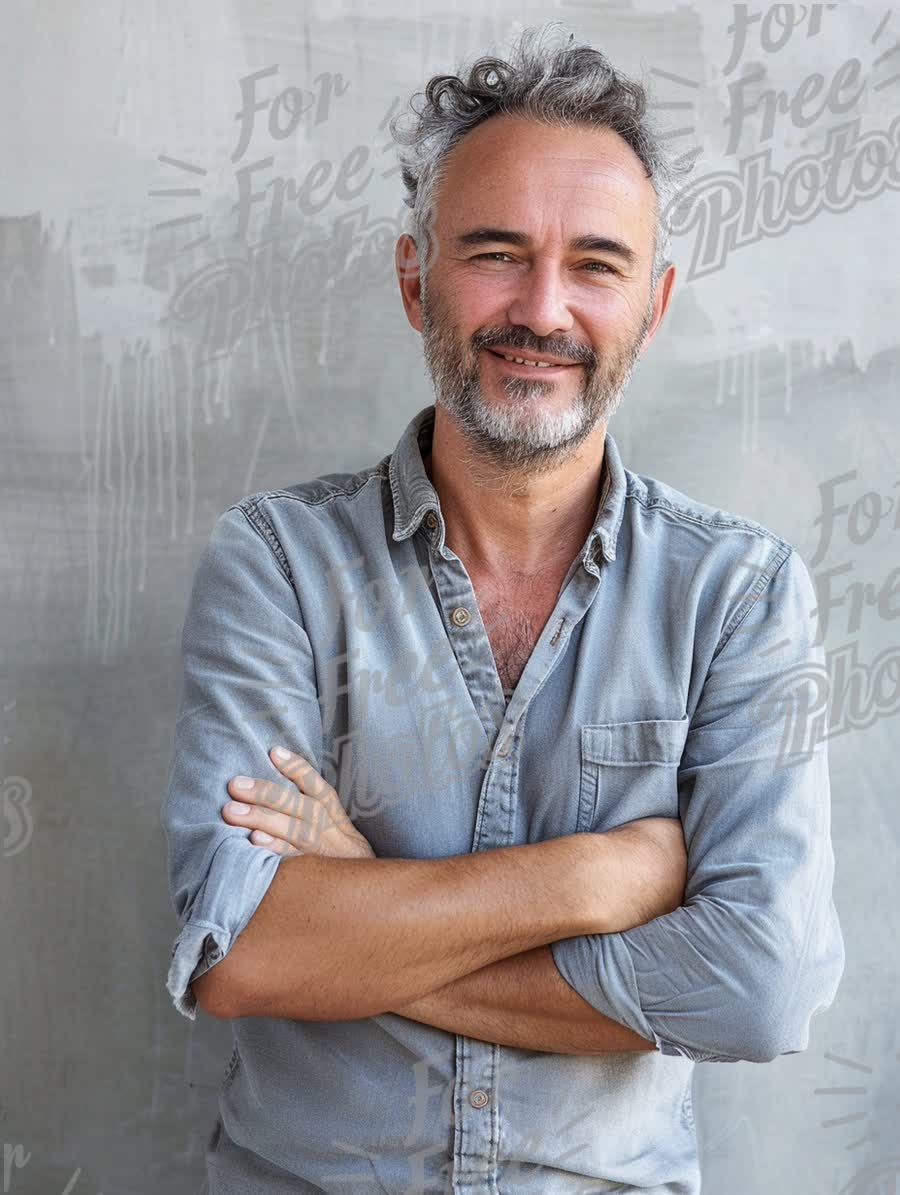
x=554 y=825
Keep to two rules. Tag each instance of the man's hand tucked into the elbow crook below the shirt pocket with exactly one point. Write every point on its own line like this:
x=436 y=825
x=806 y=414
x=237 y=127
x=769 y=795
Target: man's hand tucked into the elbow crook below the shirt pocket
x=645 y=871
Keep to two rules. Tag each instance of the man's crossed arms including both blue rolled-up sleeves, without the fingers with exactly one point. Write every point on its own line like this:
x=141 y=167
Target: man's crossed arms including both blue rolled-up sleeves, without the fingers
x=748 y=955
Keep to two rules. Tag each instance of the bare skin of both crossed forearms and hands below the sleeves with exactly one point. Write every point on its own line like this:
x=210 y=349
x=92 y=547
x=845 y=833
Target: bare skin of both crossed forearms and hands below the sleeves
x=462 y=943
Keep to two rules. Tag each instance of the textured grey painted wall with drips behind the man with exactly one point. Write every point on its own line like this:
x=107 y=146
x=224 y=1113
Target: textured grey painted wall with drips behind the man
x=149 y=379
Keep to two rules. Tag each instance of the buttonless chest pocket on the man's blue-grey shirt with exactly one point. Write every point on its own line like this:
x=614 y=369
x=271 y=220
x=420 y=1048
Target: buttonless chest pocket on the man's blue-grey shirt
x=629 y=770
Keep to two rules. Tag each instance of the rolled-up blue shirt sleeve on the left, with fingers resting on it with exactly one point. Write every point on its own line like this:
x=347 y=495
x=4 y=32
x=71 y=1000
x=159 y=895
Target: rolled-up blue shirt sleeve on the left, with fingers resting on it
x=249 y=685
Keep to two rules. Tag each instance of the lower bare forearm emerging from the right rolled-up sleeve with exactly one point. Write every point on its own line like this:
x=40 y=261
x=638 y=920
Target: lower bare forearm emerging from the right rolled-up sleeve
x=523 y=1001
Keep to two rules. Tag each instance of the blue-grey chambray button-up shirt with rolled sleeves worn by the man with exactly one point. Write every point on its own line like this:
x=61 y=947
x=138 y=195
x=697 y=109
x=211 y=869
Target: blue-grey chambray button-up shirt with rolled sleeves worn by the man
x=679 y=676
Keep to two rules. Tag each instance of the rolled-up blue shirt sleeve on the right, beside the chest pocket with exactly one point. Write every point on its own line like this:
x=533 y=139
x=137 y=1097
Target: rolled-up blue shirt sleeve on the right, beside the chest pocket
x=738 y=972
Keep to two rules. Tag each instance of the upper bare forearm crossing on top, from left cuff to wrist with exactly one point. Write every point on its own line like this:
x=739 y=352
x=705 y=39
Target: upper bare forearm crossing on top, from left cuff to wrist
x=338 y=940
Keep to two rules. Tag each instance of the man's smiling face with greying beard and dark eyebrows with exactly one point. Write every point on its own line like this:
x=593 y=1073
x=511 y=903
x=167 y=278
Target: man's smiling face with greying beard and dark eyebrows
x=591 y=308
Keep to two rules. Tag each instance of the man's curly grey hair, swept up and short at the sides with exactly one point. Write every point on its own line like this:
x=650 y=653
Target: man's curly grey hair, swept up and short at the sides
x=565 y=87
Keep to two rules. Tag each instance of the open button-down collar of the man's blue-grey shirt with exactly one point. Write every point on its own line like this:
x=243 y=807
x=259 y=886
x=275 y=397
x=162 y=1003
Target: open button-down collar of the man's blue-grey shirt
x=415 y=499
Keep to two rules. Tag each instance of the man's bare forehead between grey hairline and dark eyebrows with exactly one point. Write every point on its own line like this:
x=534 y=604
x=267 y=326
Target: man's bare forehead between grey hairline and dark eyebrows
x=515 y=173
